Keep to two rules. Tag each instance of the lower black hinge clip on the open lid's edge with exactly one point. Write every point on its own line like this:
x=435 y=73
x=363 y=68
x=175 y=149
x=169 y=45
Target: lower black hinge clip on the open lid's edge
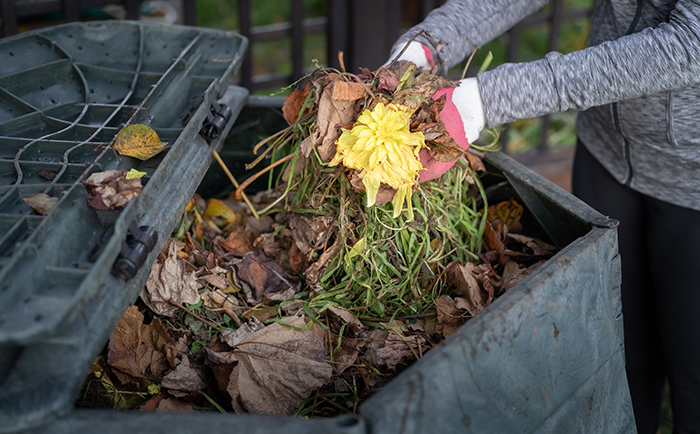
x=134 y=251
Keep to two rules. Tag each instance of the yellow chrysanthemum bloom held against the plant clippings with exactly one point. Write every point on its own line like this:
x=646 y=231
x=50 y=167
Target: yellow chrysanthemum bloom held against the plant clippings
x=383 y=148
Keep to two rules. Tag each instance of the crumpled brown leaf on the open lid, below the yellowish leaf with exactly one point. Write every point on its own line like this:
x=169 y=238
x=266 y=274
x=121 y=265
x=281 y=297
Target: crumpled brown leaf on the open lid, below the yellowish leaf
x=111 y=190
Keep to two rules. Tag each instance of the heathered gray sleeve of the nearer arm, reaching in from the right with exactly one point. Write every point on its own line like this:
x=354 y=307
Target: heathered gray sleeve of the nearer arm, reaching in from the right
x=654 y=60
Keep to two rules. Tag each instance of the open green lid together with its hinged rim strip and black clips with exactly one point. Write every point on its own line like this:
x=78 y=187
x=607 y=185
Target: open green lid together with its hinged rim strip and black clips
x=66 y=278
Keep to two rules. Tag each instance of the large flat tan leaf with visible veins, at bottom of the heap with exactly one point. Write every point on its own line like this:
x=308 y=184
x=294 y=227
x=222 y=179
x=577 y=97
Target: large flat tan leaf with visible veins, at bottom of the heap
x=277 y=368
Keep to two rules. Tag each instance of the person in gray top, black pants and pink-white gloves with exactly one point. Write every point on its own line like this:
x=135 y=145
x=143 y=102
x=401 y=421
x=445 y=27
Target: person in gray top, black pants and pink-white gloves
x=637 y=87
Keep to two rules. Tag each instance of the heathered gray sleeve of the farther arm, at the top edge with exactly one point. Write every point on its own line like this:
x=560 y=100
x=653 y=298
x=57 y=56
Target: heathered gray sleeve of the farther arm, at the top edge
x=459 y=26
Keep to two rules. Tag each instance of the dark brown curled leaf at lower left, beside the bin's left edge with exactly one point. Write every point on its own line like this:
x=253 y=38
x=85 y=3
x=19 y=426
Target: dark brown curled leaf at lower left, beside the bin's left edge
x=136 y=349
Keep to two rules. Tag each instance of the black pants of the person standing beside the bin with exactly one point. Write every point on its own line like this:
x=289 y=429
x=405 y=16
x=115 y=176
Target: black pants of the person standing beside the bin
x=660 y=251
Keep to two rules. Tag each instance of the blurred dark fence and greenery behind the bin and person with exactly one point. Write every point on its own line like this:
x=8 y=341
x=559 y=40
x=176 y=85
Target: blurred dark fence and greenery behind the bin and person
x=289 y=37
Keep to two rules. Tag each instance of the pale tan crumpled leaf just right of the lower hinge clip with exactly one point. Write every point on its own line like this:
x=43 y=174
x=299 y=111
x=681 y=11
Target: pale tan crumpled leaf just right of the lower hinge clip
x=168 y=281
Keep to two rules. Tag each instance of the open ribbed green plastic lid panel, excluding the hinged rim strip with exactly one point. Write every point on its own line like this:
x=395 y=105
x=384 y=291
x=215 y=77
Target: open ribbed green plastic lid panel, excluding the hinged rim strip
x=65 y=93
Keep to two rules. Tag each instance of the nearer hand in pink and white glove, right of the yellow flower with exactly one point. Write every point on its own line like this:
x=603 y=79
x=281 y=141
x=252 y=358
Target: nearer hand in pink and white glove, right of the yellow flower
x=464 y=118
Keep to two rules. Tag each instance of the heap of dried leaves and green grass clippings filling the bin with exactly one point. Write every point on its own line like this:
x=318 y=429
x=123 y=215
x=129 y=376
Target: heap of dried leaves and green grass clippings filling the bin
x=305 y=301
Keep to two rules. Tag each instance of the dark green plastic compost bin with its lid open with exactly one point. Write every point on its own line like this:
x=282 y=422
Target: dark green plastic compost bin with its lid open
x=545 y=357
